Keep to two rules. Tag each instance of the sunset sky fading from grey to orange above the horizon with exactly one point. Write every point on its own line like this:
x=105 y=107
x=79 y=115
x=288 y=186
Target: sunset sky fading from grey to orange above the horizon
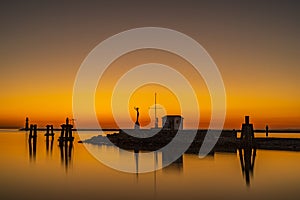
x=255 y=45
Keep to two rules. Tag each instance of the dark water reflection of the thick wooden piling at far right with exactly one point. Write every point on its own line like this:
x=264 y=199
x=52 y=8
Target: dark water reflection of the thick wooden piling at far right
x=247 y=159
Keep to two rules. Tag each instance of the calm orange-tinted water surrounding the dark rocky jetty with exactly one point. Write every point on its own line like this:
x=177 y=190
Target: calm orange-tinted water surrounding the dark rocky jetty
x=51 y=173
